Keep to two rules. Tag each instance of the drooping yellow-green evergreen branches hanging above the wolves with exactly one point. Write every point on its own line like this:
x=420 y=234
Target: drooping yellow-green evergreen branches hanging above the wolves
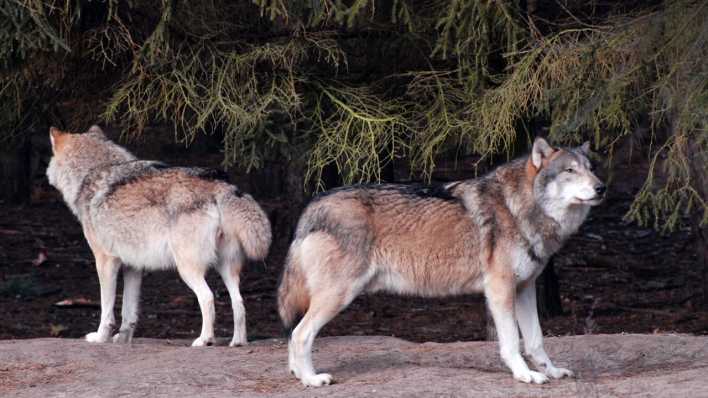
x=361 y=83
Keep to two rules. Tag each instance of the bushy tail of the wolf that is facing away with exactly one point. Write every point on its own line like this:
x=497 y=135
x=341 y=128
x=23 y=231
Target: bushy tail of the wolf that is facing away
x=243 y=219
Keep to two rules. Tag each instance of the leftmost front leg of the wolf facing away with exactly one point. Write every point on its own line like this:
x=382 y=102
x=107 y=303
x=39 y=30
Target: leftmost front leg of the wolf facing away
x=107 y=268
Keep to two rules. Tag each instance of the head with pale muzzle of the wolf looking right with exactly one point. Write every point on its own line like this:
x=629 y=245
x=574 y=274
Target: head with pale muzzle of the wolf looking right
x=565 y=177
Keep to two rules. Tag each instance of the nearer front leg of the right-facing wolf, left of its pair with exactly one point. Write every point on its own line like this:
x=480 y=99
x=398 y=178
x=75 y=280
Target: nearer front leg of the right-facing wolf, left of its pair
x=500 y=293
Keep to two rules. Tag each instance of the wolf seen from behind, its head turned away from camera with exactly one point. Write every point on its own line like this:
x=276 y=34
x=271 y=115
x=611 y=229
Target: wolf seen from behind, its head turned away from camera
x=147 y=216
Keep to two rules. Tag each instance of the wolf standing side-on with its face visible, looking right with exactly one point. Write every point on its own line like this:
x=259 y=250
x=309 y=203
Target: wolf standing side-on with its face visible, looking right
x=492 y=235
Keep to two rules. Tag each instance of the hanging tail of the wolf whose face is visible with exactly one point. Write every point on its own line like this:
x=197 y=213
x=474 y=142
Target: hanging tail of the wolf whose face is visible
x=293 y=296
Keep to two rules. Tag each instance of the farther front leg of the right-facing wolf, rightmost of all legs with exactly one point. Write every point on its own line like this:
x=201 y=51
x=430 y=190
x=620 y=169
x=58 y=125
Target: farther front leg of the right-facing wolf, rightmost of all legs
x=527 y=315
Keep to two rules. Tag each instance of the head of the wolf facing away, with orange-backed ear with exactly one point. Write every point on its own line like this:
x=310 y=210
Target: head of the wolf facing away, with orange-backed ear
x=75 y=155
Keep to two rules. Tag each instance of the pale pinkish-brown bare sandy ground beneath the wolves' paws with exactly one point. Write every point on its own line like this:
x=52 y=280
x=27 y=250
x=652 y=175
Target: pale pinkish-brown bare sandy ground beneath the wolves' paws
x=629 y=365
